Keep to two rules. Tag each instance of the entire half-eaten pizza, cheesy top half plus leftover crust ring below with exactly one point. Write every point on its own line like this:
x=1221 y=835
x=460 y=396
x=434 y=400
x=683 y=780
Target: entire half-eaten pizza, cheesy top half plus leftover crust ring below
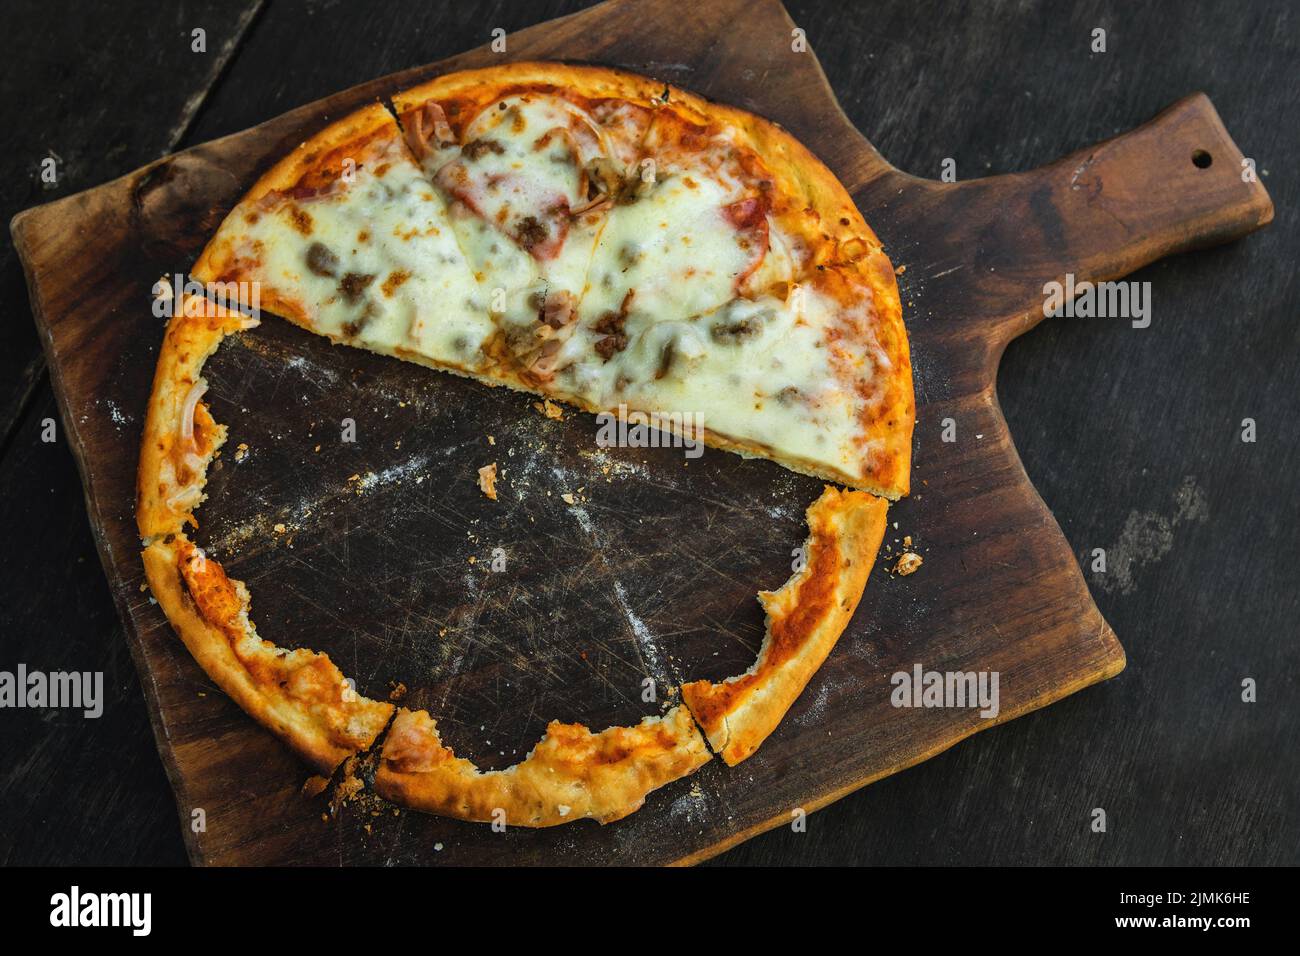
x=595 y=239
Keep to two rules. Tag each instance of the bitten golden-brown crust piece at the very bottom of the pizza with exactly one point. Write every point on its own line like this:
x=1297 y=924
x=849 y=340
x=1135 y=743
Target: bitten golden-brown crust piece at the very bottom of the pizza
x=571 y=775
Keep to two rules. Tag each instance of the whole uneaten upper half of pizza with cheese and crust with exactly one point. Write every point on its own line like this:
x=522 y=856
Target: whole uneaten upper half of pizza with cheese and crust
x=603 y=240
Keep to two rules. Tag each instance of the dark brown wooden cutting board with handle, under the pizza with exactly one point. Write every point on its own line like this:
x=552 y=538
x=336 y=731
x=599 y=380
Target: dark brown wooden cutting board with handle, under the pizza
x=385 y=561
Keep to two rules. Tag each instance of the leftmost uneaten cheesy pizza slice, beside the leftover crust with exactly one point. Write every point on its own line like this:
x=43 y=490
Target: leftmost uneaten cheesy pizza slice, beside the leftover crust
x=348 y=239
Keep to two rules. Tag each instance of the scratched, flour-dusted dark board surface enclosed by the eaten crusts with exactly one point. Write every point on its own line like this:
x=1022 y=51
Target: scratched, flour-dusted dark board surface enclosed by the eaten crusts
x=497 y=617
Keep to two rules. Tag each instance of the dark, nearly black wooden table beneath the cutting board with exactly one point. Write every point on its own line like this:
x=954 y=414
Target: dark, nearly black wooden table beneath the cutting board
x=1133 y=436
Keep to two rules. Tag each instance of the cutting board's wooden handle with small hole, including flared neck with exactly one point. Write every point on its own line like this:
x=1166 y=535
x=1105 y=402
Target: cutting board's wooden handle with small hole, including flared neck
x=994 y=246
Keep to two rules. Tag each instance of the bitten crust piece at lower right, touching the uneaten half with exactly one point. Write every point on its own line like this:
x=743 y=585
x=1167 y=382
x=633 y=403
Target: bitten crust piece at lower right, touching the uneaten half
x=805 y=620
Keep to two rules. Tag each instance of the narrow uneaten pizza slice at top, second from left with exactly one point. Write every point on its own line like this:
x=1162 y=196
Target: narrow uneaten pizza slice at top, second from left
x=527 y=175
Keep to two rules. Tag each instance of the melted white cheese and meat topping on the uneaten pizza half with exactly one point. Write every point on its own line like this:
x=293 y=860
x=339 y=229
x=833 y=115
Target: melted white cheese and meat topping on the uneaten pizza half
x=597 y=257
